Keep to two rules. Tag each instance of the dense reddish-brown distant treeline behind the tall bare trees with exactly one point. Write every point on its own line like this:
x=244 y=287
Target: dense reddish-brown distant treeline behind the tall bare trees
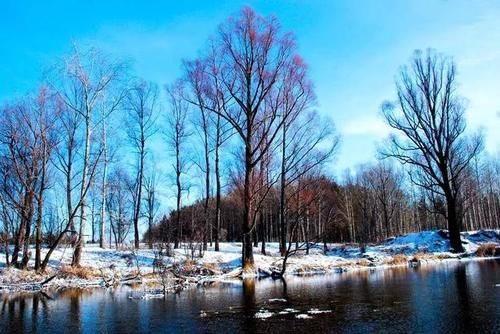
x=370 y=204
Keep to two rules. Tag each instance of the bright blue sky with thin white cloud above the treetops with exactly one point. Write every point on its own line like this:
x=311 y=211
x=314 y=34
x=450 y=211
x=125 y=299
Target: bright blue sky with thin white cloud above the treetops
x=354 y=49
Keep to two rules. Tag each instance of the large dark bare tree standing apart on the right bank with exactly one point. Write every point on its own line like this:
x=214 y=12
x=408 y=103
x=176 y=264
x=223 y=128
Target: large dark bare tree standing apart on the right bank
x=429 y=121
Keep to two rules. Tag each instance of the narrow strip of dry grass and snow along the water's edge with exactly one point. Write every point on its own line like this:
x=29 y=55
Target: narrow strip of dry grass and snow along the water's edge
x=152 y=283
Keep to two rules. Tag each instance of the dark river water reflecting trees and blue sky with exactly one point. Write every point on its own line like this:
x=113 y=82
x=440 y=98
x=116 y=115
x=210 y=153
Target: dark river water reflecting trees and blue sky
x=447 y=298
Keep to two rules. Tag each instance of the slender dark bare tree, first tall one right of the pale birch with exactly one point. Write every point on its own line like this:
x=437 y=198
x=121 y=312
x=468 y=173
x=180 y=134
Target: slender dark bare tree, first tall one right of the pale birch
x=142 y=102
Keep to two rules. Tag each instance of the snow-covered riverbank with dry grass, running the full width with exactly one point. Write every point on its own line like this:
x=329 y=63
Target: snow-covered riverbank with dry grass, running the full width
x=110 y=267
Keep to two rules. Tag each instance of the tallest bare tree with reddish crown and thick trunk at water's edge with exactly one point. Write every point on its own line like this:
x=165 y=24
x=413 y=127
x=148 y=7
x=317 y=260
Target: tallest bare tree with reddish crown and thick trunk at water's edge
x=255 y=57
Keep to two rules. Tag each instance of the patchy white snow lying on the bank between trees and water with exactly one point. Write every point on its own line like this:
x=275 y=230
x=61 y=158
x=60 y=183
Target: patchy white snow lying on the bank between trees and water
x=100 y=266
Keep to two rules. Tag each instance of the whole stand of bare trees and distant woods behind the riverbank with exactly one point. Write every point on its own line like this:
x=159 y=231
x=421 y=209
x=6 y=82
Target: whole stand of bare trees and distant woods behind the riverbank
x=234 y=150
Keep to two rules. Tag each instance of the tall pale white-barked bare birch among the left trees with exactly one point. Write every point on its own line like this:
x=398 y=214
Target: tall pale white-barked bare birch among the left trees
x=85 y=84
